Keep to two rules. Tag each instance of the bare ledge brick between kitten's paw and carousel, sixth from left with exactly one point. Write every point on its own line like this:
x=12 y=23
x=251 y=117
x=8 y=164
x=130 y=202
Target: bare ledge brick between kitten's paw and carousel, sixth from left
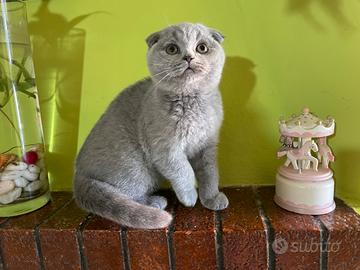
x=244 y=237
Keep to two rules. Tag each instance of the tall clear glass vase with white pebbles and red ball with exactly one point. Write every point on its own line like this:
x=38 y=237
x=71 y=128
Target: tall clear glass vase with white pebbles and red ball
x=23 y=175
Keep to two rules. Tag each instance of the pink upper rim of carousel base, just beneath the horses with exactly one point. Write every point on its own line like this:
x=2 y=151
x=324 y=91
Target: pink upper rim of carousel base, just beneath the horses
x=305 y=175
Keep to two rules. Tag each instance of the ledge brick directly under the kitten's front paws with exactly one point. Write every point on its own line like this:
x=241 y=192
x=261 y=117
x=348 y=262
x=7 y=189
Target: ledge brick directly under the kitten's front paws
x=194 y=238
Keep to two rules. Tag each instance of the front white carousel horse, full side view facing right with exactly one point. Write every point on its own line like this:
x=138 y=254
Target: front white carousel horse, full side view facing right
x=304 y=153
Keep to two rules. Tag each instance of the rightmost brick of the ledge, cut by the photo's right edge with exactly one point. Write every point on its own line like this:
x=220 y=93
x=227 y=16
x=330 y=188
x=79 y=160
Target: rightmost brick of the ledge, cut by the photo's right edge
x=343 y=245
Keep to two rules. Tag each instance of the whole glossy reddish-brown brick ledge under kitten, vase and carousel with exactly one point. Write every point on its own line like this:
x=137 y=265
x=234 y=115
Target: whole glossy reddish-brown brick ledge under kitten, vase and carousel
x=62 y=236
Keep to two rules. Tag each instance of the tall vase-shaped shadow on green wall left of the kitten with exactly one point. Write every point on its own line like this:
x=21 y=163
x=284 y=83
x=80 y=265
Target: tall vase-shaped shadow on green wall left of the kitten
x=58 y=50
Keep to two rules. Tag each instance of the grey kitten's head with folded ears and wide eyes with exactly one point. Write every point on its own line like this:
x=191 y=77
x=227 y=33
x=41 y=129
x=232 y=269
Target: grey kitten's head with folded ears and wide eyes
x=185 y=56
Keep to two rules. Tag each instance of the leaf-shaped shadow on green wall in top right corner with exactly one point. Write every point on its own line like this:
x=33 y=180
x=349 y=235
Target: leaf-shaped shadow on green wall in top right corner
x=333 y=9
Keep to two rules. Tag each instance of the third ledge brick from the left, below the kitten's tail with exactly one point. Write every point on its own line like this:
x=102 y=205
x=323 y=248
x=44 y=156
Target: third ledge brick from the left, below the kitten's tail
x=102 y=244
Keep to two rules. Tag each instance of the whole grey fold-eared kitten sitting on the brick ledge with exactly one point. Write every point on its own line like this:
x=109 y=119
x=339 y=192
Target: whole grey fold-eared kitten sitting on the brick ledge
x=166 y=126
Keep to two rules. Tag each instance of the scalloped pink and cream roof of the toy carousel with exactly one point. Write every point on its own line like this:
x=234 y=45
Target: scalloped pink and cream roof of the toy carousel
x=307 y=125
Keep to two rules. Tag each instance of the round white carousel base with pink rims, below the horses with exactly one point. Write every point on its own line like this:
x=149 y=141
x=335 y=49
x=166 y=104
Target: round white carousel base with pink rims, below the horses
x=306 y=196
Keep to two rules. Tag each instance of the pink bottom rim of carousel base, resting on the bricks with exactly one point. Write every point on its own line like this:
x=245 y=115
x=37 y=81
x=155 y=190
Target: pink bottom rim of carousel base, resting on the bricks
x=303 y=208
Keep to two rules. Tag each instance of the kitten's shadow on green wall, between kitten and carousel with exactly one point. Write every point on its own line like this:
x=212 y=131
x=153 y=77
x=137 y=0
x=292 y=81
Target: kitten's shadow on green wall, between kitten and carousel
x=244 y=149
